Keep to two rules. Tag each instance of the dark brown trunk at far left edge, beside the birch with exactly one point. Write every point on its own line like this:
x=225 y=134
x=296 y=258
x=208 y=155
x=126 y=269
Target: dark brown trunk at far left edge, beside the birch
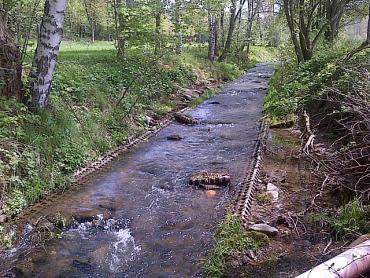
x=10 y=62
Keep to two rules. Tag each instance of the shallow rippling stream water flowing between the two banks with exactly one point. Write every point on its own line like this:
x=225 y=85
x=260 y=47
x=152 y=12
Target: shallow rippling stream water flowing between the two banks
x=139 y=217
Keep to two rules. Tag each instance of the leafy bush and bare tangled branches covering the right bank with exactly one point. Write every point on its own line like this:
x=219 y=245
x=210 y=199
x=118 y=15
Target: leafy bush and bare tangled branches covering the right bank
x=336 y=97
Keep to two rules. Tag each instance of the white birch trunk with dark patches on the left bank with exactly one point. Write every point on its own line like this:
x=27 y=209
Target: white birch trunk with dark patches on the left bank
x=47 y=51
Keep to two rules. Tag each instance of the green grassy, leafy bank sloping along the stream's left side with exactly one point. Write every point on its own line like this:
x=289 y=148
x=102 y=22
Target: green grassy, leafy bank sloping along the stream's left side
x=97 y=101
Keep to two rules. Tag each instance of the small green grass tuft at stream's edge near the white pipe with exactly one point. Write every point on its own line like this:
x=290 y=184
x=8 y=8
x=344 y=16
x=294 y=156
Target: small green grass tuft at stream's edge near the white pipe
x=231 y=240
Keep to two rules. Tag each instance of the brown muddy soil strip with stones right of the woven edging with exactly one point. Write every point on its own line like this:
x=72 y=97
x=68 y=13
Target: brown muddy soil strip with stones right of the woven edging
x=284 y=195
